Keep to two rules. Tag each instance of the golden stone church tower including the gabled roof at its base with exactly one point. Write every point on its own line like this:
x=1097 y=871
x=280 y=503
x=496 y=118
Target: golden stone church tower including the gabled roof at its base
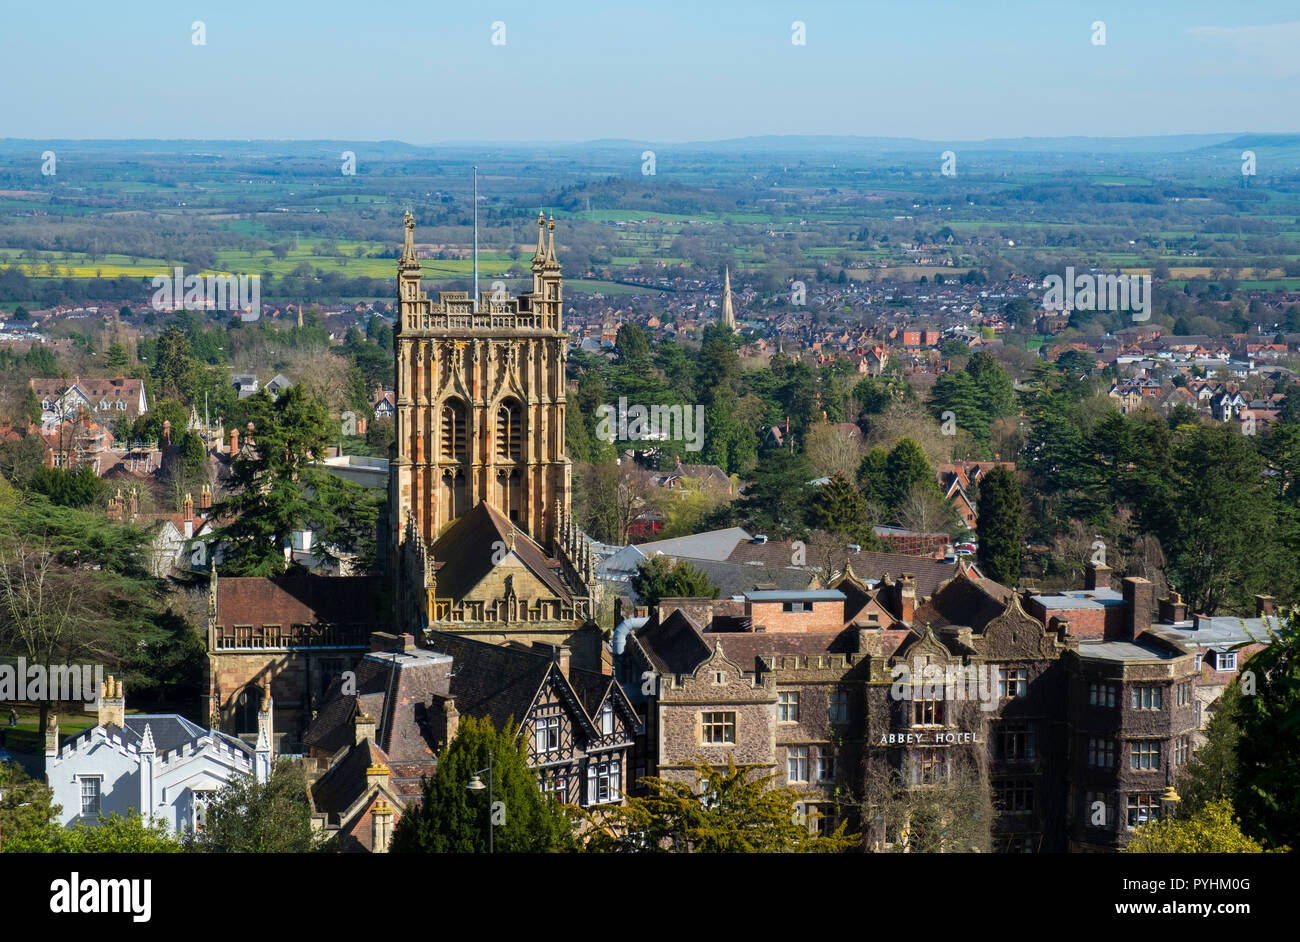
x=480 y=483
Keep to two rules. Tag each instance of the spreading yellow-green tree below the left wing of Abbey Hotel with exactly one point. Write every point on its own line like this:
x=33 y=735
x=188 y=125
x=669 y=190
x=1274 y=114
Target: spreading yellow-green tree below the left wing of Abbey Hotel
x=725 y=811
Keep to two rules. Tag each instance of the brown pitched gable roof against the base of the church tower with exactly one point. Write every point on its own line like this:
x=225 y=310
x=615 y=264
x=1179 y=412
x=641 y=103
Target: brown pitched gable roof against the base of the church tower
x=466 y=554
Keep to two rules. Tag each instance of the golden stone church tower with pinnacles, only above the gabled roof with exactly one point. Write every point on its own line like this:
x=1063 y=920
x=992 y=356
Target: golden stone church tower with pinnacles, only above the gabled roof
x=480 y=402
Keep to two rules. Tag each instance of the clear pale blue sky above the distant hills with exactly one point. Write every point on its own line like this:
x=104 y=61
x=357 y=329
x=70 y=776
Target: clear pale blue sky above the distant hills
x=651 y=71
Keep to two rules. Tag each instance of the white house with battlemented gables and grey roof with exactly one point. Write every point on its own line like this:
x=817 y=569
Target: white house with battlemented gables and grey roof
x=161 y=766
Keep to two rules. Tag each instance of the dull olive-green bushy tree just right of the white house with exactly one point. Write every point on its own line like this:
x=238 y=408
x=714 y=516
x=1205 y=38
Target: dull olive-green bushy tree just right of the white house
x=259 y=818
